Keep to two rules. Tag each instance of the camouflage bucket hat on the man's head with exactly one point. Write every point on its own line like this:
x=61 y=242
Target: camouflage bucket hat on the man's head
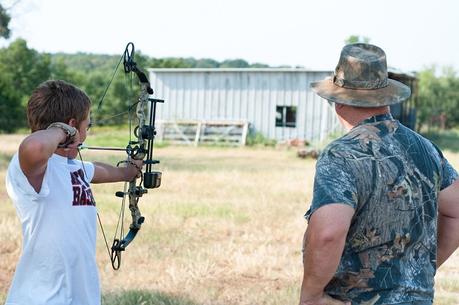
x=361 y=79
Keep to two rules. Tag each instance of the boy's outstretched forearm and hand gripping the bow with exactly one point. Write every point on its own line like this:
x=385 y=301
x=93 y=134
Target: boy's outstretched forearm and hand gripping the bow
x=107 y=173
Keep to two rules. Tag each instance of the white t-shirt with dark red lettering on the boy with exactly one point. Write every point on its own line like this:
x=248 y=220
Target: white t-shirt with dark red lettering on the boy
x=57 y=264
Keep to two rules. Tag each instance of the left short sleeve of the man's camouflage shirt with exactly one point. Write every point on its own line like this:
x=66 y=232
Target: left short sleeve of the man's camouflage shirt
x=333 y=183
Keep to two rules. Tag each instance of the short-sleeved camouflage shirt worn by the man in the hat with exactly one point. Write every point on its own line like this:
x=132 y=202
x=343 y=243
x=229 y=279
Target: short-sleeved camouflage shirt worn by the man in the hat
x=391 y=176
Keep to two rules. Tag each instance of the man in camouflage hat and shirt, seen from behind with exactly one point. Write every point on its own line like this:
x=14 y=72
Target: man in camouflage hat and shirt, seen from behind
x=385 y=208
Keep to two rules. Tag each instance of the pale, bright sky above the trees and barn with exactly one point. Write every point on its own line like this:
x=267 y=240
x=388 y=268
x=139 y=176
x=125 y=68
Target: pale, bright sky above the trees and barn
x=415 y=34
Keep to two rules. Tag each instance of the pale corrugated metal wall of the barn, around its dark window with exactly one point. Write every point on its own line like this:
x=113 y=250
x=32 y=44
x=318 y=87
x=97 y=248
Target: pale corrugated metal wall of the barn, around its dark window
x=246 y=94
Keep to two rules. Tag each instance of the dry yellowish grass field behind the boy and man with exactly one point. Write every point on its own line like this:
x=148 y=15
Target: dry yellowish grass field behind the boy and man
x=225 y=227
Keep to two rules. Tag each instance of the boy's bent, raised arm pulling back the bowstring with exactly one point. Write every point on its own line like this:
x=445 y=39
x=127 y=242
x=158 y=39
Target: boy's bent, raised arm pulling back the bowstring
x=34 y=152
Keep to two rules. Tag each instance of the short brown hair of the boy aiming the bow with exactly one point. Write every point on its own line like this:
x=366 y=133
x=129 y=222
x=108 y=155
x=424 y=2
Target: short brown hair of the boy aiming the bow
x=57 y=101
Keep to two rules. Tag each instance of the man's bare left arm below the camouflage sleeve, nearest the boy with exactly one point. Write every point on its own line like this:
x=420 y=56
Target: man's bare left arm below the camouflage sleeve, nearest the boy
x=324 y=244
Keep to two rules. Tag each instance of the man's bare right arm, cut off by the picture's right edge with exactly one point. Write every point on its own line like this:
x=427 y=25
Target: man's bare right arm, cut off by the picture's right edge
x=448 y=222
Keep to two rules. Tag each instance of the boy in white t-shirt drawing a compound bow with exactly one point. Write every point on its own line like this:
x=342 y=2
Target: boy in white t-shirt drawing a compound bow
x=52 y=196
